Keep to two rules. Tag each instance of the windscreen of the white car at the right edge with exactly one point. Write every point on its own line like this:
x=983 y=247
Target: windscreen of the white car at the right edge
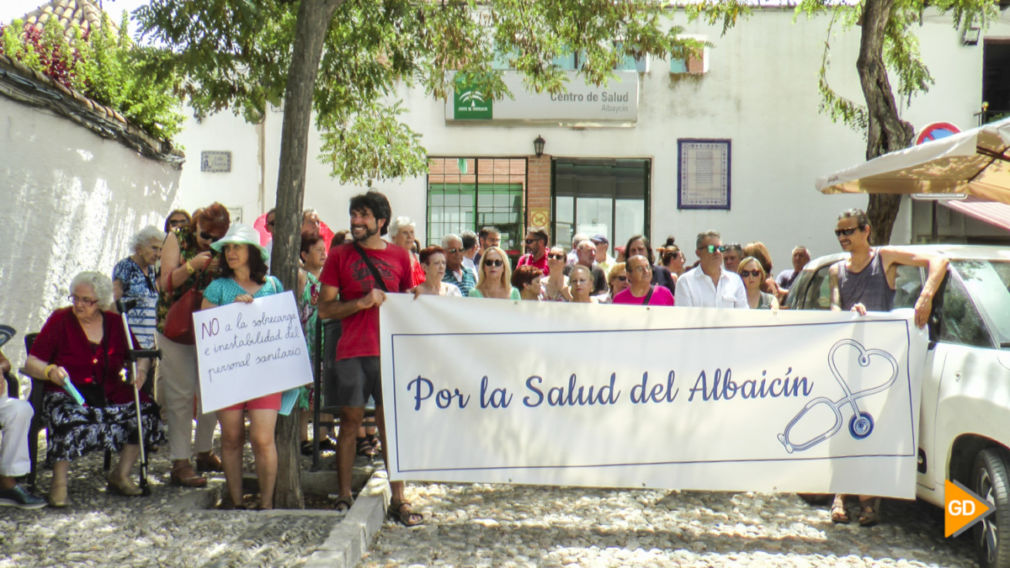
x=988 y=285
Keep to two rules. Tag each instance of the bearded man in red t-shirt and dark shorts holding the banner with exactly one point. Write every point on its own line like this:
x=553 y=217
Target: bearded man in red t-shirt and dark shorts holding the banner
x=352 y=294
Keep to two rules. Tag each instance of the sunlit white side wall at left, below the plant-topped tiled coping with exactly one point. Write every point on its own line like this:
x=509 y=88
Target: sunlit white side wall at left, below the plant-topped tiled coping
x=71 y=203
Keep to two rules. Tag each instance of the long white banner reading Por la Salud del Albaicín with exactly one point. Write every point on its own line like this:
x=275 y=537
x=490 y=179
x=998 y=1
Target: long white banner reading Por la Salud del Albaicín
x=634 y=397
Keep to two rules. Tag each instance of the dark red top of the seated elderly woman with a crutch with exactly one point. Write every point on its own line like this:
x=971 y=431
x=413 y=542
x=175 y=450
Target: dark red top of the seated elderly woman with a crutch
x=64 y=343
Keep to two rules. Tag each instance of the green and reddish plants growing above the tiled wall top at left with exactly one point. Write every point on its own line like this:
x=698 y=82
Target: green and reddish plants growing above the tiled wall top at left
x=103 y=65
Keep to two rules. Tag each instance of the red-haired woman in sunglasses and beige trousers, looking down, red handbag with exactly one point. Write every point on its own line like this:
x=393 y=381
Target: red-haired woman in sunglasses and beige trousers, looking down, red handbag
x=187 y=264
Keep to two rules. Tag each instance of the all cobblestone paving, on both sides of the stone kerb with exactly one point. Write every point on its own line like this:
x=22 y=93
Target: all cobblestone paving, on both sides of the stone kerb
x=479 y=525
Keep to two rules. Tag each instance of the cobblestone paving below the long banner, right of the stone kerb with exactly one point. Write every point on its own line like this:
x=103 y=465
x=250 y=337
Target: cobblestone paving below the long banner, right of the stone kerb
x=485 y=525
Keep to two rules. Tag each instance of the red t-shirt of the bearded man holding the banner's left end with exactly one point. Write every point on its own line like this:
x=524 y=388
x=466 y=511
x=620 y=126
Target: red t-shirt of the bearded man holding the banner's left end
x=346 y=270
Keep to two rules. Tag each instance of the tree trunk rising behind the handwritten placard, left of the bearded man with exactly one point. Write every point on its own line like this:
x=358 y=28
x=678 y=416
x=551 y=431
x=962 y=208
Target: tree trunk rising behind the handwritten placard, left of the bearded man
x=312 y=27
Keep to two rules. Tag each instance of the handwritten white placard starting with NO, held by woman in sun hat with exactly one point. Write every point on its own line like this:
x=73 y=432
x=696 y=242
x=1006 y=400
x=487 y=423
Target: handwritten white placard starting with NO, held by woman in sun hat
x=247 y=351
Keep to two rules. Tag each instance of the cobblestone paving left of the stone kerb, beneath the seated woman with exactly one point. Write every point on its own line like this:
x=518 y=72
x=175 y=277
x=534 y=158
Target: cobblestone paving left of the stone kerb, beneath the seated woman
x=168 y=529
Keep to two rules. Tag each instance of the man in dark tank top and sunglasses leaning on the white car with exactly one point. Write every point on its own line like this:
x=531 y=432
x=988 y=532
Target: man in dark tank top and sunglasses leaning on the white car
x=866 y=282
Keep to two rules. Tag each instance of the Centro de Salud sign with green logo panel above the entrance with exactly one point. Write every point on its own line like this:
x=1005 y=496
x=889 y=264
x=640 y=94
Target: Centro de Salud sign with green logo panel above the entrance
x=618 y=102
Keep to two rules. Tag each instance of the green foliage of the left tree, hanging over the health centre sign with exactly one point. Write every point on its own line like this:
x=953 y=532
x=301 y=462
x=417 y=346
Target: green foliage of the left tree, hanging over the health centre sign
x=235 y=54
